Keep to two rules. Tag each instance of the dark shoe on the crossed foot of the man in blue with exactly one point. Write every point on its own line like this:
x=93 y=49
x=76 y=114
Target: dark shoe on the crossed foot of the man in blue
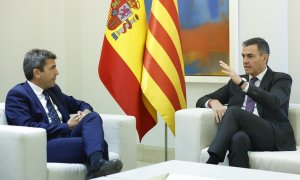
x=108 y=167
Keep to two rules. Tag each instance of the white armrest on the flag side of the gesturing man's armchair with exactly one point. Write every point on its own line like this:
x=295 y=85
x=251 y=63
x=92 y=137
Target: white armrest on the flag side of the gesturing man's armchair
x=195 y=130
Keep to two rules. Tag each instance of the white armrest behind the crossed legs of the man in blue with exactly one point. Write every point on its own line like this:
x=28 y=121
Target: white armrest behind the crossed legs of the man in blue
x=120 y=134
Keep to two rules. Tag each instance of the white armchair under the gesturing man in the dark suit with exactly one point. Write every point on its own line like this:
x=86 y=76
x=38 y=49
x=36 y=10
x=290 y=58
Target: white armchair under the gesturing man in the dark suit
x=196 y=128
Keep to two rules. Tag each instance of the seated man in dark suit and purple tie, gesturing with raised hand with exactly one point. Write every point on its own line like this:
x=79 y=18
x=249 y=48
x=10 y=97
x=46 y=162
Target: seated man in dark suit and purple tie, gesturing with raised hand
x=256 y=117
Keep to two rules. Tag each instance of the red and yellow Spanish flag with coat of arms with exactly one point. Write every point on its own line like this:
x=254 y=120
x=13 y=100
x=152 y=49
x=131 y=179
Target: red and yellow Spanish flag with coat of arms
x=121 y=61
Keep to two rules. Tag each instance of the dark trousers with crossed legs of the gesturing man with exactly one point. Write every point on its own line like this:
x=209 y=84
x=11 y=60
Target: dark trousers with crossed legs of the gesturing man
x=240 y=132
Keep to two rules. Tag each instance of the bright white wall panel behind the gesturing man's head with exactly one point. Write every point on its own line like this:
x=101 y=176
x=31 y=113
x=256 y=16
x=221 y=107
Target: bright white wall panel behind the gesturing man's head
x=267 y=19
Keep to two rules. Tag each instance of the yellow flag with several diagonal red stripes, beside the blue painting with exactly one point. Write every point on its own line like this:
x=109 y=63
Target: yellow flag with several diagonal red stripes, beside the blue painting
x=163 y=81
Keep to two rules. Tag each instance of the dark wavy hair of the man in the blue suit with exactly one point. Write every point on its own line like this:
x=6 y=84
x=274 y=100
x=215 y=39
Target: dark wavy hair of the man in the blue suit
x=35 y=59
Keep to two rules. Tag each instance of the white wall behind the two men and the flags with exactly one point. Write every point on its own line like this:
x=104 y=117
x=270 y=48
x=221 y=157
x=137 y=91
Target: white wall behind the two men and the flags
x=74 y=30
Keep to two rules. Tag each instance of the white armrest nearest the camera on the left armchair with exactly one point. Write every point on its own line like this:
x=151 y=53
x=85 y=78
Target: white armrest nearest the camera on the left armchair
x=23 y=153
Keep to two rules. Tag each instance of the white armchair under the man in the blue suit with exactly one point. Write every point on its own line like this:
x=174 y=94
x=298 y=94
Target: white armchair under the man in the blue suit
x=23 y=150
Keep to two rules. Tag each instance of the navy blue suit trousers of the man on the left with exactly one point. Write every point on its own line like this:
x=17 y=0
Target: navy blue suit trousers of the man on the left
x=86 y=138
